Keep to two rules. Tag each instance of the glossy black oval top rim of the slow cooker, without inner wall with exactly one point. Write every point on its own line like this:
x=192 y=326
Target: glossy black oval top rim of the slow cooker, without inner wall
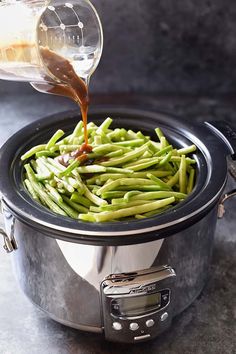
x=44 y=220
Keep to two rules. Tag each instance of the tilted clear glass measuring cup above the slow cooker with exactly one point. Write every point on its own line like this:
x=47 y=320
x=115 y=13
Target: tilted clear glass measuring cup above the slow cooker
x=71 y=30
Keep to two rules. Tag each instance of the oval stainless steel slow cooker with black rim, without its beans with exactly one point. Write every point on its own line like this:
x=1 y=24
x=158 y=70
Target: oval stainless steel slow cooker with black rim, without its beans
x=124 y=279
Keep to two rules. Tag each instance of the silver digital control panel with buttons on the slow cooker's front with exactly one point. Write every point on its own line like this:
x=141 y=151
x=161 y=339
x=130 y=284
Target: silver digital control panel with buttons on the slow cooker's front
x=137 y=306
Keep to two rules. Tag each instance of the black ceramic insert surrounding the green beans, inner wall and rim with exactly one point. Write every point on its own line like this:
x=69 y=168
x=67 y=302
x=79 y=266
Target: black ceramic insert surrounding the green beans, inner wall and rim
x=211 y=178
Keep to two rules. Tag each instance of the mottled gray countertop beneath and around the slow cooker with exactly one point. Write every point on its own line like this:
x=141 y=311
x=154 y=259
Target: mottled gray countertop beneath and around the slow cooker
x=207 y=326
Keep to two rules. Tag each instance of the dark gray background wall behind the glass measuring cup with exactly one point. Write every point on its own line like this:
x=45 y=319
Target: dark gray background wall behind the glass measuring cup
x=165 y=47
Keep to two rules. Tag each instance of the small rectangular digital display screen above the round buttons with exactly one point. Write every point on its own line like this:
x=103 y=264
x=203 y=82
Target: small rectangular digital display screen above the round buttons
x=138 y=305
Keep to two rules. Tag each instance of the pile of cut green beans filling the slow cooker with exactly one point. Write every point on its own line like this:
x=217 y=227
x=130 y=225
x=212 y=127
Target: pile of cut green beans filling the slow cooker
x=126 y=175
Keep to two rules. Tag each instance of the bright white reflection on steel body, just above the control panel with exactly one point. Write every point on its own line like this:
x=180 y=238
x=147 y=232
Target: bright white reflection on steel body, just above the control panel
x=94 y=263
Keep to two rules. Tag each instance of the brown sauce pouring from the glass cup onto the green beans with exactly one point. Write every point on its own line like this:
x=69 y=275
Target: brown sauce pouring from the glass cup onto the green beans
x=65 y=83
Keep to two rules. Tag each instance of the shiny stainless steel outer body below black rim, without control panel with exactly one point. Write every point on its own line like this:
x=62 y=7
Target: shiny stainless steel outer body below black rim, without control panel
x=64 y=278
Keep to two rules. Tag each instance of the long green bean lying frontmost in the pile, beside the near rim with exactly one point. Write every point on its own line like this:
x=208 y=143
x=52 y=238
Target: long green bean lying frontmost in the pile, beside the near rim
x=139 y=209
